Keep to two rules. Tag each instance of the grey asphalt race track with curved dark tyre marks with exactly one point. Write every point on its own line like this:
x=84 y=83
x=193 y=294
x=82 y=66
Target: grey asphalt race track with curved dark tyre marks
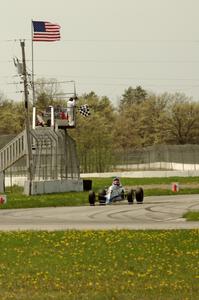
x=160 y=212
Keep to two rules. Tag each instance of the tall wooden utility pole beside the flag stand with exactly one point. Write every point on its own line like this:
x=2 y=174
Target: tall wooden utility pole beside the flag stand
x=27 y=125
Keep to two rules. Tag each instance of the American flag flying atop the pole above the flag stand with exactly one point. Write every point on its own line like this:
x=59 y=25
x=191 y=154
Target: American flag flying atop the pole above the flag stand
x=45 y=31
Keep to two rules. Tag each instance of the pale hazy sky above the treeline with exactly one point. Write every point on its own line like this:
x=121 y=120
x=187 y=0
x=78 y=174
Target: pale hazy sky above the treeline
x=106 y=45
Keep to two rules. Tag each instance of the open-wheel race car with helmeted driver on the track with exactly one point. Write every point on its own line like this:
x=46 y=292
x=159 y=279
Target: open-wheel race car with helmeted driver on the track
x=112 y=194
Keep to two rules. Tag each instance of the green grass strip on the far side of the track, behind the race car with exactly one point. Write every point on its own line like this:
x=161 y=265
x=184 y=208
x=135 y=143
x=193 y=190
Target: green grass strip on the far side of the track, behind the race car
x=16 y=199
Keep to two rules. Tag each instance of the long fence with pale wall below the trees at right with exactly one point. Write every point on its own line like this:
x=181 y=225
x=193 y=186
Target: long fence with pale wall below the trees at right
x=159 y=157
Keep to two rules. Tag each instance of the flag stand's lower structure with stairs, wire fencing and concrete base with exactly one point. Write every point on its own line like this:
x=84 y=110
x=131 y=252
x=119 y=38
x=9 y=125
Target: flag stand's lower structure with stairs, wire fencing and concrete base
x=48 y=163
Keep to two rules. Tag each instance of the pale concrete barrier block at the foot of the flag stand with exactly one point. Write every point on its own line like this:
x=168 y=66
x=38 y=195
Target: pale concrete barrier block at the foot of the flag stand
x=52 y=186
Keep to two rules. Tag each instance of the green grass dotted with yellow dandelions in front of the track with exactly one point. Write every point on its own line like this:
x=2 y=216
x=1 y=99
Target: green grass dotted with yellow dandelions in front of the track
x=99 y=265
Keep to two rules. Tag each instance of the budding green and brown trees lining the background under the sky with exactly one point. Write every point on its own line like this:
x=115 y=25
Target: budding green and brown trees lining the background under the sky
x=140 y=119
